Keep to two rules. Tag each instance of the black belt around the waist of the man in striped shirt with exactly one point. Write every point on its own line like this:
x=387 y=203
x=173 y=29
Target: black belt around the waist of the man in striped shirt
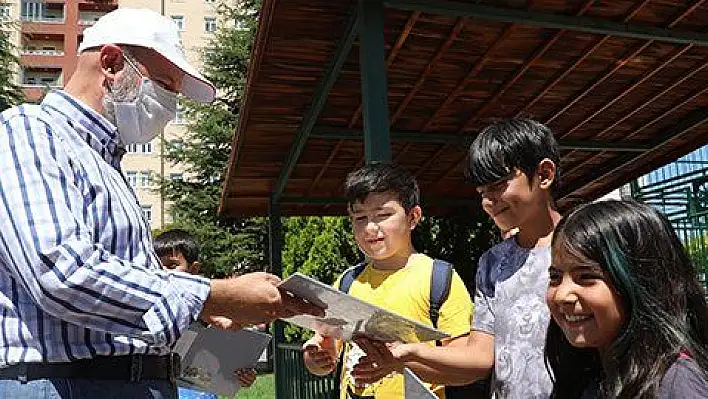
x=127 y=368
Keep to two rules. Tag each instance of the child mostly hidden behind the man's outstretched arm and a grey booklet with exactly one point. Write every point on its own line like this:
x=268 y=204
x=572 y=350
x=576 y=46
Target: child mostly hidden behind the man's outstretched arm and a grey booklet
x=178 y=251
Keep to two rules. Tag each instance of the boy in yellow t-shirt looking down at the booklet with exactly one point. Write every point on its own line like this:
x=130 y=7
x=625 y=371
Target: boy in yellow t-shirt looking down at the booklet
x=383 y=203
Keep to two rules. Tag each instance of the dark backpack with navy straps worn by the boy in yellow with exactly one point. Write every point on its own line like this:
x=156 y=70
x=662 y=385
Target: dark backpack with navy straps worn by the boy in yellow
x=440 y=280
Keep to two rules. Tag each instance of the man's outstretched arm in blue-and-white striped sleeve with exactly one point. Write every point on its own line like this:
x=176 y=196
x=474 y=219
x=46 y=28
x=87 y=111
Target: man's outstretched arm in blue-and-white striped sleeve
x=47 y=246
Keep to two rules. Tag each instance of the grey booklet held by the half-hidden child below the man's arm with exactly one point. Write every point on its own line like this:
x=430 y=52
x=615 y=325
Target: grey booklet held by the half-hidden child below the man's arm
x=211 y=355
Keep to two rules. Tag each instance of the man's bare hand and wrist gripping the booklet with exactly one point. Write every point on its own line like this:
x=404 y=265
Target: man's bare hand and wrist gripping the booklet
x=251 y=299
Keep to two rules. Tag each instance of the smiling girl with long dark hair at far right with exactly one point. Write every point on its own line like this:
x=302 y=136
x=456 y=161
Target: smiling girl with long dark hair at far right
x=629 y=316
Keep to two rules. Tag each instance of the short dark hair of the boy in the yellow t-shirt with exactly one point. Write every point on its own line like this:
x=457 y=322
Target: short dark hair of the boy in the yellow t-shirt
x=381 y=178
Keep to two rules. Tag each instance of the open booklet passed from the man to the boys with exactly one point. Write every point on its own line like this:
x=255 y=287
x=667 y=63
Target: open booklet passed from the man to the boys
x=346 y=316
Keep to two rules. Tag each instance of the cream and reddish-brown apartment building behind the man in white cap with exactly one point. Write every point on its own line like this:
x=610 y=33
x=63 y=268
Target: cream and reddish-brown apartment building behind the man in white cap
x=47 y=34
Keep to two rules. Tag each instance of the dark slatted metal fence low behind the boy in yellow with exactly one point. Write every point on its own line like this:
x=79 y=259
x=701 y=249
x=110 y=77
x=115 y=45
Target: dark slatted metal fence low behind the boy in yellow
x=293 y=381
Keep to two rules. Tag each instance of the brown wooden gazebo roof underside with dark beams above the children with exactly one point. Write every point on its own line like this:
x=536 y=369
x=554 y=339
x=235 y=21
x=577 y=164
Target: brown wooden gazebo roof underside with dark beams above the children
x=622 y=84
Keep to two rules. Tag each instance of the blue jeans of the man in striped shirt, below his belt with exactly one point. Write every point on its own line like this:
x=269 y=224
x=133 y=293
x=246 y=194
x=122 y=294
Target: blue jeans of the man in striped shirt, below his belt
x=73 y=388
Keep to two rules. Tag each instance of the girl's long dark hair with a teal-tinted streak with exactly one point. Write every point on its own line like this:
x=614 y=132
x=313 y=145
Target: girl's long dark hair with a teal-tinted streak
x=660 y=293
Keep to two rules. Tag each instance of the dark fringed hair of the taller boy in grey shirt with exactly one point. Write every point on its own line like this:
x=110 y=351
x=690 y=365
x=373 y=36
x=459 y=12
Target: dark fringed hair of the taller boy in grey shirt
x=508 y=144
